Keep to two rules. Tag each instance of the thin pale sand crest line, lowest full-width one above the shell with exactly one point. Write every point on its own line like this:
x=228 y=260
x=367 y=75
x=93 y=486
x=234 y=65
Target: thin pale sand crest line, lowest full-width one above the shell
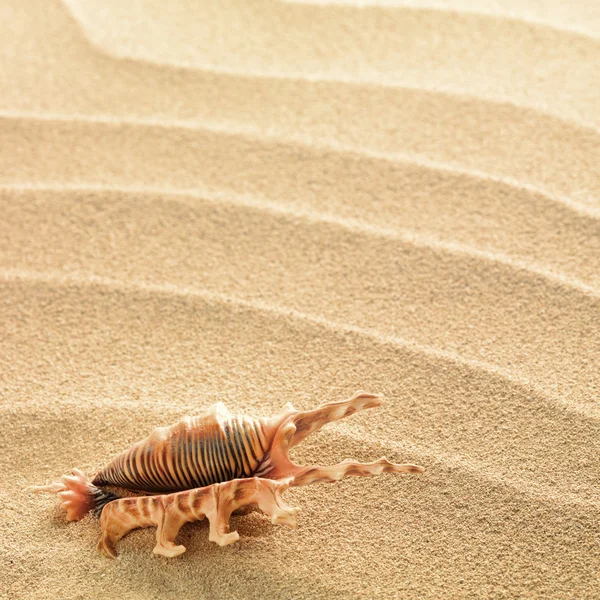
x=82 y=278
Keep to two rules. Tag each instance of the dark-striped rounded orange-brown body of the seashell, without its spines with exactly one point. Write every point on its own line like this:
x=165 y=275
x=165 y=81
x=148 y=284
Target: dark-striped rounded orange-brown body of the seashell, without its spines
x=196 y=452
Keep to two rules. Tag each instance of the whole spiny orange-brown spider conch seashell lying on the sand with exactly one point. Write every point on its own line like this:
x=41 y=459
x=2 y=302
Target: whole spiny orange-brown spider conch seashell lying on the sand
x=209 y=466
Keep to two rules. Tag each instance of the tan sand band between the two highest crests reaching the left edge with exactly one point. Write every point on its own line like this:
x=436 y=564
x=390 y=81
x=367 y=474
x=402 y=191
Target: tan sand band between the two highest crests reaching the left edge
x=517 y=222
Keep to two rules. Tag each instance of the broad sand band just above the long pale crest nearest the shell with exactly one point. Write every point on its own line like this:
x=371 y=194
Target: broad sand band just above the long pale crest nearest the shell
x=480 y=310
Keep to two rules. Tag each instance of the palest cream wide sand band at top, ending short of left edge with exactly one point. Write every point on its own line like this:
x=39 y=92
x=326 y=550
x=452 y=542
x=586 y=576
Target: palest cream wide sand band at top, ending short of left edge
x=438 y=49
